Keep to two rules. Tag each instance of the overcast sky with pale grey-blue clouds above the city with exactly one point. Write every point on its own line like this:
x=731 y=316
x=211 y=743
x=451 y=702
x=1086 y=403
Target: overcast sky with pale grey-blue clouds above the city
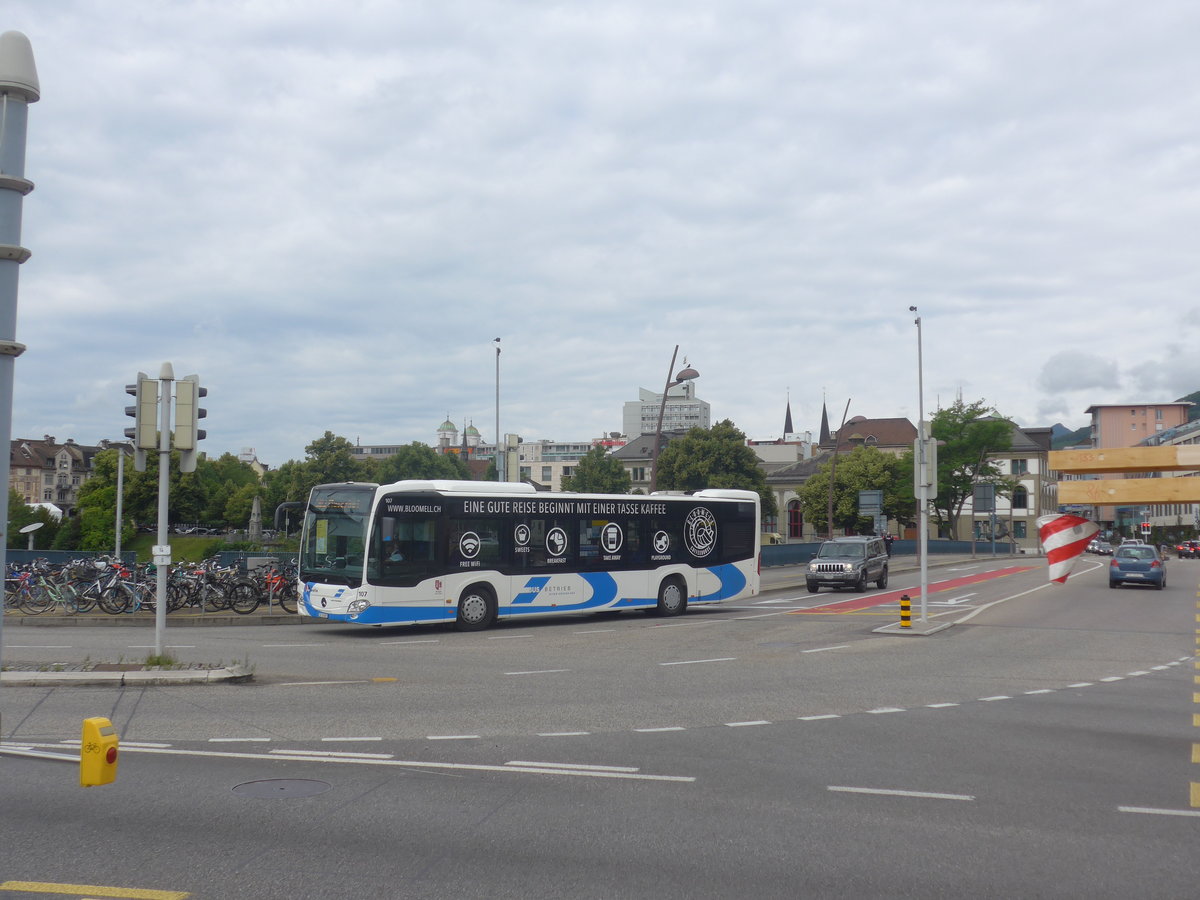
x=329 y=211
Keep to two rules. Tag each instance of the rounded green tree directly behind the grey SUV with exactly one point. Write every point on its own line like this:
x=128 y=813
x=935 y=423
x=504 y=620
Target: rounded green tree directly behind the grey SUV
x=865 y=469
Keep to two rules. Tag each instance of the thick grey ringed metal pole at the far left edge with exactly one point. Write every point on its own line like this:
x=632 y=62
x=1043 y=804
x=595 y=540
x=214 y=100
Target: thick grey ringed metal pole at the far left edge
x=19 y=89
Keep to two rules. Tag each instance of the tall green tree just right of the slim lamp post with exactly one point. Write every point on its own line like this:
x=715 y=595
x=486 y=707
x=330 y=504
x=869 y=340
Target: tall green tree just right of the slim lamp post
x=967 y=435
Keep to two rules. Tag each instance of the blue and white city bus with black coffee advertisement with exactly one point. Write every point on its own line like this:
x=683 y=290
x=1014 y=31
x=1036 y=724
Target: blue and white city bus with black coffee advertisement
x=472 y=553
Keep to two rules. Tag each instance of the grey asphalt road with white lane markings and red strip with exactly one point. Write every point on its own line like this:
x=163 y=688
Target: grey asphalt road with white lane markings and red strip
x=781 y=748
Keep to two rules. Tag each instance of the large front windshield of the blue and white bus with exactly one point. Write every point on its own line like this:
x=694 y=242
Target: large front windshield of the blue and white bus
x=335 y=533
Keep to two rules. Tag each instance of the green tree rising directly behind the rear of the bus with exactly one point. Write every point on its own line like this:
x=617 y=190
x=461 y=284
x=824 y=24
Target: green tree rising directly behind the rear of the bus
x=713 y=458
